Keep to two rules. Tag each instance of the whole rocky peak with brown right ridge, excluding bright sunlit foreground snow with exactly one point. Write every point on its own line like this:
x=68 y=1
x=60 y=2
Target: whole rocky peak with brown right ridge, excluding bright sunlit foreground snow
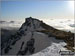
x=43 y=35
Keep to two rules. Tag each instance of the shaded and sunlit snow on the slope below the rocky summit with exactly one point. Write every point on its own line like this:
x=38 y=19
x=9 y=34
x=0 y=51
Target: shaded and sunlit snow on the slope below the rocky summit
x=44 y=45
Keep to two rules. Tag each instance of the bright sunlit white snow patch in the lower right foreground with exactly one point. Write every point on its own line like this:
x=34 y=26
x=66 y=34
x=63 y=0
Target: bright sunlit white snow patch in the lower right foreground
x=52 y=50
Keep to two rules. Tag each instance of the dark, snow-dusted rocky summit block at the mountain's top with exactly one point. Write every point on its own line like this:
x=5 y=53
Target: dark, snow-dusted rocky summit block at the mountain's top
x=31 y=24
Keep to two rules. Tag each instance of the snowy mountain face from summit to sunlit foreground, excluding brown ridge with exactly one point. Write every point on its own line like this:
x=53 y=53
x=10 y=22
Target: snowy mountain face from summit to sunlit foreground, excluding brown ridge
x=44 y=45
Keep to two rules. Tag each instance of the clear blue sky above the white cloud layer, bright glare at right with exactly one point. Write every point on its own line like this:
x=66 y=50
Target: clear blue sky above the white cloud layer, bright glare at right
x=37 y=9
